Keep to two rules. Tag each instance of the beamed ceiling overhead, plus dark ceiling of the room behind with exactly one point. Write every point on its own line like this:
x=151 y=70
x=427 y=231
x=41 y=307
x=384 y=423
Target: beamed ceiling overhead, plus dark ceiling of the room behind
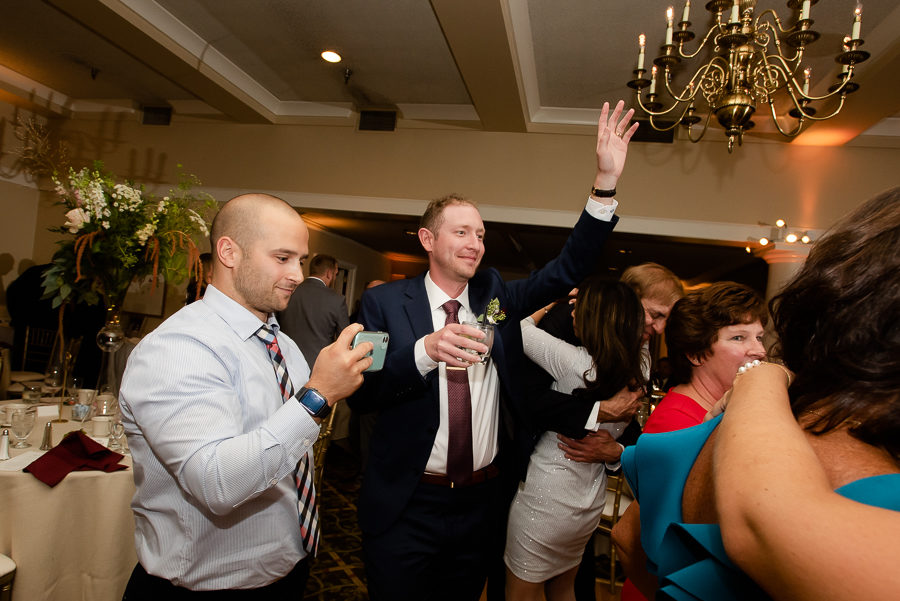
x=494 y=65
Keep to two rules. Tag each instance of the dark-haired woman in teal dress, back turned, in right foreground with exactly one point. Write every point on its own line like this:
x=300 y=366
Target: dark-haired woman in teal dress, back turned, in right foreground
x=801 y=474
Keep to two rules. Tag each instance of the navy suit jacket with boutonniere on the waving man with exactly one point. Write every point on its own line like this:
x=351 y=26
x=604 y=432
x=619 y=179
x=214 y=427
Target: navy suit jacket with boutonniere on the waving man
x=408 y=403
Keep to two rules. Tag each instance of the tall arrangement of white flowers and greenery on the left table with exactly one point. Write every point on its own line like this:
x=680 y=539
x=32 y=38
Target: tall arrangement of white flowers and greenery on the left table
x=122 y=233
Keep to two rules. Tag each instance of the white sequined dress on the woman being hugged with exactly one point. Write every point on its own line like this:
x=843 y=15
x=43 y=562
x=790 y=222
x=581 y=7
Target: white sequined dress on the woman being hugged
x=557 y=508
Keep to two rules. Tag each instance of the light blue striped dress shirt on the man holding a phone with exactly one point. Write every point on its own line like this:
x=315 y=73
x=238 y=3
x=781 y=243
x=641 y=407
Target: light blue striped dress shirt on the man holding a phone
x=214 y=449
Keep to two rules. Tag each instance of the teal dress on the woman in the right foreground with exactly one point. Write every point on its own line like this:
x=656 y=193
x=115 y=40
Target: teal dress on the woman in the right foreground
x=689 y=559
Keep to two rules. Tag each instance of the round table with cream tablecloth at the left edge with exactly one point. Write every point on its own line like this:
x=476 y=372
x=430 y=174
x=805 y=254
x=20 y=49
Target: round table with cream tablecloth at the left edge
x=74 y=541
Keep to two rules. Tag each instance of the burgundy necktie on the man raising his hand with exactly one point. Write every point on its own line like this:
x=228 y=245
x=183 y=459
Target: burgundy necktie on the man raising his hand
x=459 y=445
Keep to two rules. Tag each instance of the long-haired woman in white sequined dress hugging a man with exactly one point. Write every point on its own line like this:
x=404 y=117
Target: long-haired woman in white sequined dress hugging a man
x=557 y=508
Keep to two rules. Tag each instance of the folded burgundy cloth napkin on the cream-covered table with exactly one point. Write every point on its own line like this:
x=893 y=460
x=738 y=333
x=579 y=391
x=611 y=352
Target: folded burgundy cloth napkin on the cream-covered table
x=75 y=452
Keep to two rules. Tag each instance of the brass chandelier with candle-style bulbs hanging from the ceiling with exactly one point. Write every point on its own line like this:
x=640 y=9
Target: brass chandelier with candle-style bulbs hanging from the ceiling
x=755 y=61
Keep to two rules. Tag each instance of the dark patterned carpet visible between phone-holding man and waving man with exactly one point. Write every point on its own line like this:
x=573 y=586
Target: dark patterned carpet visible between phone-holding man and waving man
x=337 y=573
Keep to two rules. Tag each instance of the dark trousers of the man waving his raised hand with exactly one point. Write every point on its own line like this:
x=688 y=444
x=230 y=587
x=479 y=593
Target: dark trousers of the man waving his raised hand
x=440 y=548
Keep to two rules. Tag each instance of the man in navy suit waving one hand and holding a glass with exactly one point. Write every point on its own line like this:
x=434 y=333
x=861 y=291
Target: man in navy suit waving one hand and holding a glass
x=429 y=532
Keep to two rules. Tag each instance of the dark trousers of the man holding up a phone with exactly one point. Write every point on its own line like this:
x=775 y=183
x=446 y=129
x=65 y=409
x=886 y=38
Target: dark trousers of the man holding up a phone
x=145 y=587
